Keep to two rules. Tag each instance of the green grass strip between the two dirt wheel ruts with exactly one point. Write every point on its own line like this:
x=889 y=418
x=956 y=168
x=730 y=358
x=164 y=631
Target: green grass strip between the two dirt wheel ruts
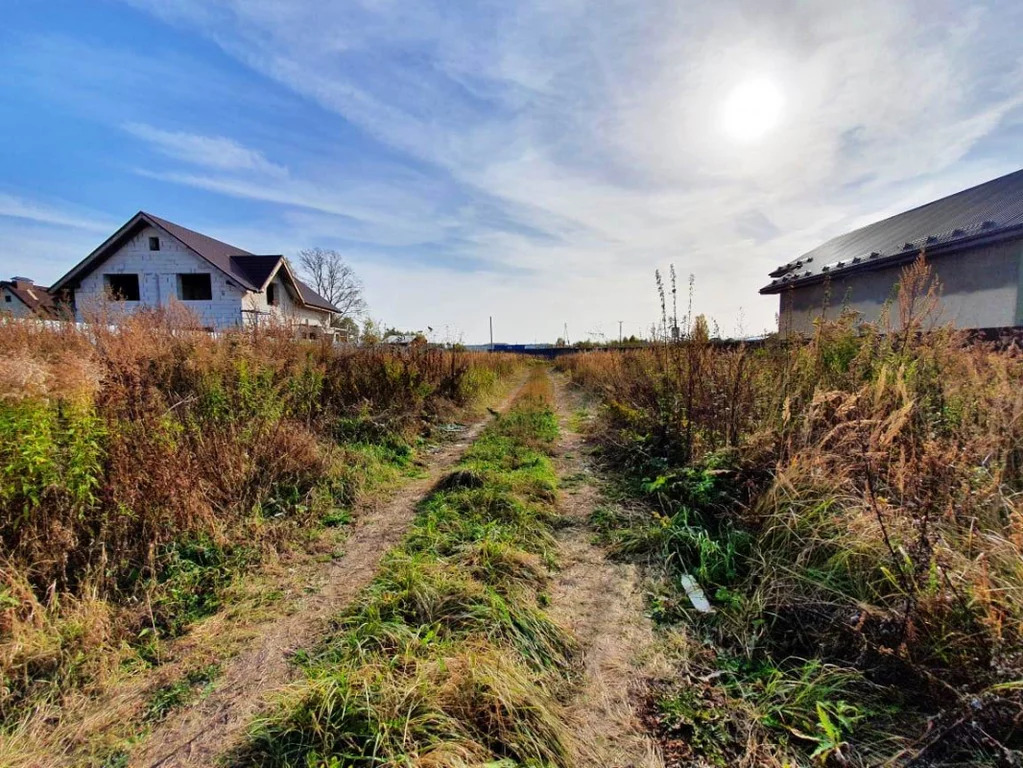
x=449 y=659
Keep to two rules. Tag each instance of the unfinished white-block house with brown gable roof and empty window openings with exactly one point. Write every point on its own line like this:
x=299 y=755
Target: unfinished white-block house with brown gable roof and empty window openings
x=151 y=262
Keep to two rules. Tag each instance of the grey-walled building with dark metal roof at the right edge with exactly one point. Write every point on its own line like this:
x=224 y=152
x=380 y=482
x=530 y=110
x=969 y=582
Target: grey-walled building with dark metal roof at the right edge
x=972 y=240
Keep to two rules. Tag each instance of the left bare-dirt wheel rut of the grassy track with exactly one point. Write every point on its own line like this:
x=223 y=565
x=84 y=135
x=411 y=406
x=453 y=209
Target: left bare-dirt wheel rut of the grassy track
x=198 y=735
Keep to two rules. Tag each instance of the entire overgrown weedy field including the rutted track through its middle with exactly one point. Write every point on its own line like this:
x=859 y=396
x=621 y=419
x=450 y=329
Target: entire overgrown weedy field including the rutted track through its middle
x=850 y=508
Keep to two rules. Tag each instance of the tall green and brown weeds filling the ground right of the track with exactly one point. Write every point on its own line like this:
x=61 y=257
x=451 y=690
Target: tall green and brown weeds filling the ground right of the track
x=853 y=510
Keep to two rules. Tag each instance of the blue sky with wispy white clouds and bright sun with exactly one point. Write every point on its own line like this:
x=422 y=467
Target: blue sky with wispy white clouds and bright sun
x=532 y=161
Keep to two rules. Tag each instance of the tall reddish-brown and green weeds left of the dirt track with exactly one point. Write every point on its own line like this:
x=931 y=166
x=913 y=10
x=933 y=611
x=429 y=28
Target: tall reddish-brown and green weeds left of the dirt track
x=144 y=469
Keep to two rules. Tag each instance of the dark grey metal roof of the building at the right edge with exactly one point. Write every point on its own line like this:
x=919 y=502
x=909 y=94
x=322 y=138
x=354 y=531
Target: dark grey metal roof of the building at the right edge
x=983 y=214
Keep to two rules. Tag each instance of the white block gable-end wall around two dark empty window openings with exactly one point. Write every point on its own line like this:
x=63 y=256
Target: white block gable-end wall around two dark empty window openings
x=158 y=272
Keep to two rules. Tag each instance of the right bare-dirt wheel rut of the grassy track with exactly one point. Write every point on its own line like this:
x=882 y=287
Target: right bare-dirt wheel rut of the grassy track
x=603 y=603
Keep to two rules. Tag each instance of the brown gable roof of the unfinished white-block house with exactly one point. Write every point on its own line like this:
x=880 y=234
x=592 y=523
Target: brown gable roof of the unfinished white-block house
x=249 y=270
